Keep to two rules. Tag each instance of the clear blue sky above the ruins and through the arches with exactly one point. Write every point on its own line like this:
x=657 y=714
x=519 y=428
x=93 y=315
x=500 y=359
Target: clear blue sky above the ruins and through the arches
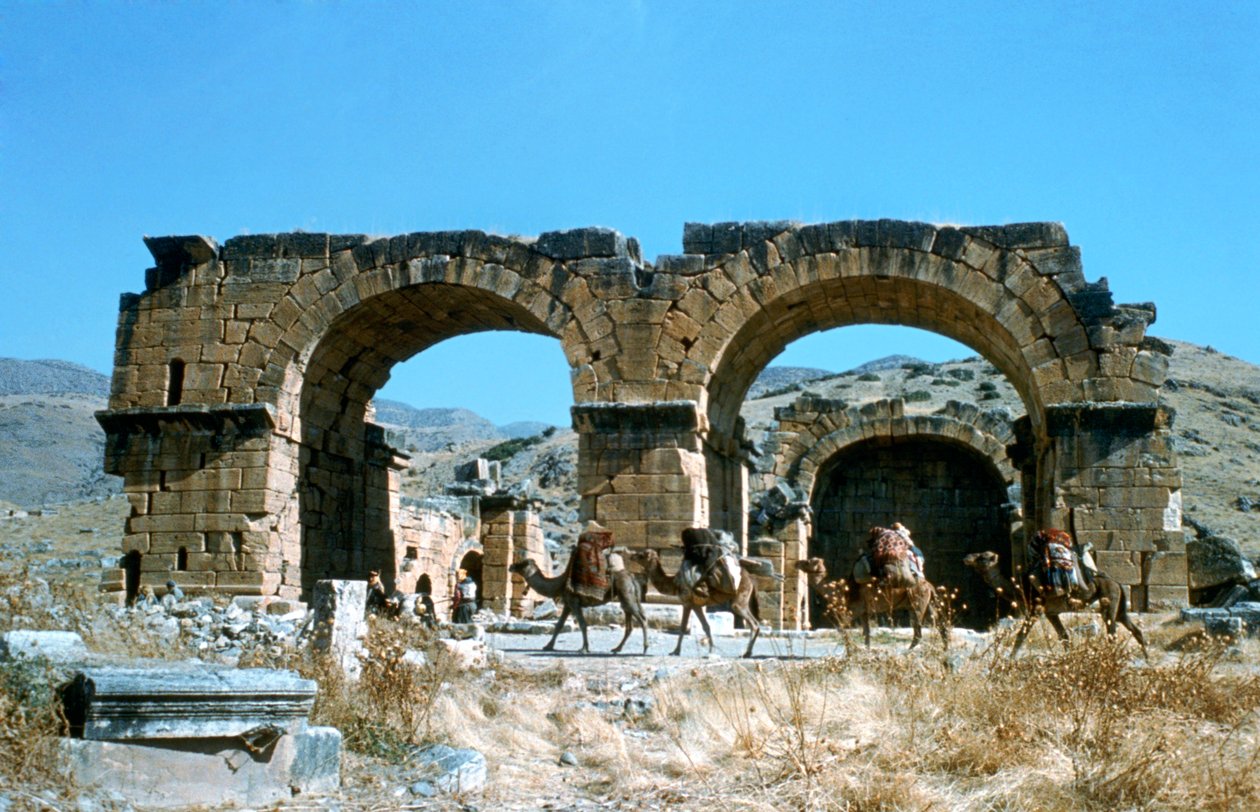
x=1135 y=124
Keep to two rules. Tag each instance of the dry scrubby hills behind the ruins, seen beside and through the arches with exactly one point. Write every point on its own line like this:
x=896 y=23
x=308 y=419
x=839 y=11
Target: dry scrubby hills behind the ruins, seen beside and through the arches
x=52 y=448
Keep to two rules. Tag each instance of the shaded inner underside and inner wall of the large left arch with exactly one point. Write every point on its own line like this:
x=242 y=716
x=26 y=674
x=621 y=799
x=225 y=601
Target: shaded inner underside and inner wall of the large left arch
x=342 y=466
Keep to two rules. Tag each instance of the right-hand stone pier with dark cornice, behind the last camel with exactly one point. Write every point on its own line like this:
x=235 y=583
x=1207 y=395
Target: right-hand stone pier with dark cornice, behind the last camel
x=1118 y=486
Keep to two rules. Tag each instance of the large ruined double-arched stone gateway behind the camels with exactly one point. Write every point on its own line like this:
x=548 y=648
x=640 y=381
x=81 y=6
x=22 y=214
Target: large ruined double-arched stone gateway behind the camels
x=240 y=414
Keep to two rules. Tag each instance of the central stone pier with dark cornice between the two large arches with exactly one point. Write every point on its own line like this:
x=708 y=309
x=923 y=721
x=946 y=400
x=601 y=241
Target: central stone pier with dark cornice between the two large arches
x=642 y=470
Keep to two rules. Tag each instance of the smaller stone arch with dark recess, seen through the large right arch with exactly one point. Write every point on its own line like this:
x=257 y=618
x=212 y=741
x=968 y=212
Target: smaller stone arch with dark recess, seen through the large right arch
x=946 y=475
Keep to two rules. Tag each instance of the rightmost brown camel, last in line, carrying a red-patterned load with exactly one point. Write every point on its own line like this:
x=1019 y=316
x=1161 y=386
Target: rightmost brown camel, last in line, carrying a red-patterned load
x=1031 y=598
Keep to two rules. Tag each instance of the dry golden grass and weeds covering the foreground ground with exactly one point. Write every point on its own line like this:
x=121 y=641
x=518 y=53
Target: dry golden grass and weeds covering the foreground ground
x=1089 y=728
